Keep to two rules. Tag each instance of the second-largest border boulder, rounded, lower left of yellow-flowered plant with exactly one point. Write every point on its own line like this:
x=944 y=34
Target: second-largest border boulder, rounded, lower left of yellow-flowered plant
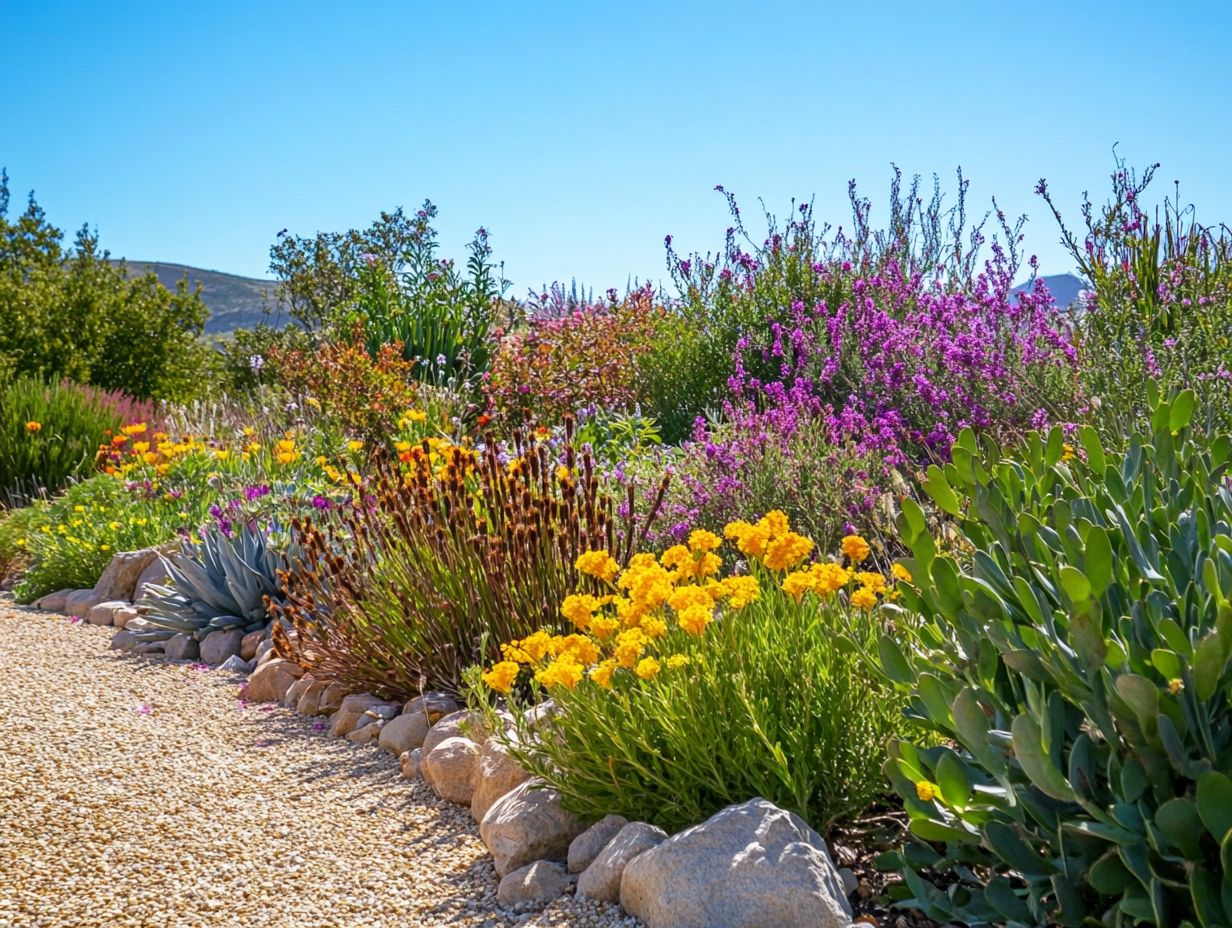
x=528 y=824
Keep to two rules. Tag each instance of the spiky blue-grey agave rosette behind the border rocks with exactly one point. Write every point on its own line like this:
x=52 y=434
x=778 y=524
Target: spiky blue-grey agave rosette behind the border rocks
x=220 y=584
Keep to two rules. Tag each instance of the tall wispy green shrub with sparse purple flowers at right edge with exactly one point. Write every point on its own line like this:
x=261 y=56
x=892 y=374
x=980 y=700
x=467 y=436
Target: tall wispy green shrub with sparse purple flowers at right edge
x=1160 y=307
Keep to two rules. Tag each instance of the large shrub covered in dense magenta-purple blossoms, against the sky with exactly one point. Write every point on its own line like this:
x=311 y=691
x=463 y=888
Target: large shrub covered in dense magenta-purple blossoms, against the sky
x=857 y=358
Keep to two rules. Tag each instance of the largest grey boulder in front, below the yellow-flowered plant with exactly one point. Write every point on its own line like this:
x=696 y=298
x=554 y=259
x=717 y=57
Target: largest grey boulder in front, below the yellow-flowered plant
x=750 y=866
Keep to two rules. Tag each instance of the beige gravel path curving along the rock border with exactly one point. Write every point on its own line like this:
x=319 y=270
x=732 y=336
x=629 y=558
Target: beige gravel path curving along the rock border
x=140 y=793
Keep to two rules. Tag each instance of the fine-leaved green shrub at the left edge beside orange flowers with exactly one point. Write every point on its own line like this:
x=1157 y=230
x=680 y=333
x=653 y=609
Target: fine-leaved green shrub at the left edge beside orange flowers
x=51 y=432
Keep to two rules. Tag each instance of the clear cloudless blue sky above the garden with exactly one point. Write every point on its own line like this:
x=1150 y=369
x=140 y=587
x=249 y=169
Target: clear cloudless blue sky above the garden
x=581 y=134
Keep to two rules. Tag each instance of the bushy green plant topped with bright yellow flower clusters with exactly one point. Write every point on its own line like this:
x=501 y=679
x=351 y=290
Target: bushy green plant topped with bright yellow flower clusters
x=686 y=685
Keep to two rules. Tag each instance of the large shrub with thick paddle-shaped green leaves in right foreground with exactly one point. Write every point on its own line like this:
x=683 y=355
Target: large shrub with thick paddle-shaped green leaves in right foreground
x=1077 y=669
